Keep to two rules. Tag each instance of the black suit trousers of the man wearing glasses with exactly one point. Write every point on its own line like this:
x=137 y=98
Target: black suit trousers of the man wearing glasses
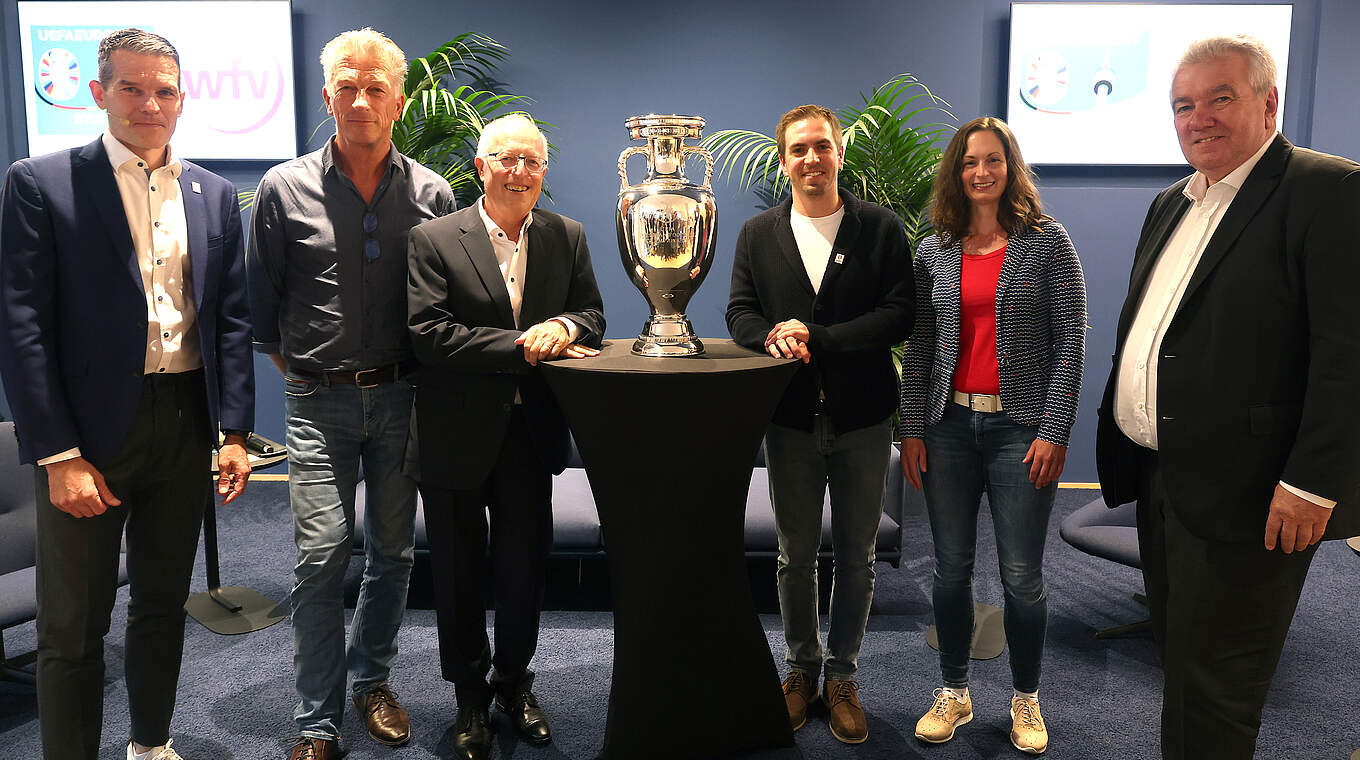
x=517 y=496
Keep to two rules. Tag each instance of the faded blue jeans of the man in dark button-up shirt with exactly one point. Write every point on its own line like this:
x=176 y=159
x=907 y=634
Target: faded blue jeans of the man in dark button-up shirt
x=334 y=430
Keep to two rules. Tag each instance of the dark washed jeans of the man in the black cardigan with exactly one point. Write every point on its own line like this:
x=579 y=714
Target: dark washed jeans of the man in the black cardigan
x=802 y=466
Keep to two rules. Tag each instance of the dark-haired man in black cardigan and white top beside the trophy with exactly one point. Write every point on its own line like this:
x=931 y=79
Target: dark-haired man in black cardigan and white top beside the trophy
x=825 y=278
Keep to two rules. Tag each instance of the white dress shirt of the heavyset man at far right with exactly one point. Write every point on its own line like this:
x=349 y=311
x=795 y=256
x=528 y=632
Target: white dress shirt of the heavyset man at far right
x=1136 y=394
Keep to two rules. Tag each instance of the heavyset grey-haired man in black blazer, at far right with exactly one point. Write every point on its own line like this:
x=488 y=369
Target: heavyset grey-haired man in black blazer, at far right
x=1229 y=413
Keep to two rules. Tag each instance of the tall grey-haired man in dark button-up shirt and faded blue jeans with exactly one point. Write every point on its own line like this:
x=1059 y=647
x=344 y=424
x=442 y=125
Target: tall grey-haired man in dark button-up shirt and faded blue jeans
x=327 y=266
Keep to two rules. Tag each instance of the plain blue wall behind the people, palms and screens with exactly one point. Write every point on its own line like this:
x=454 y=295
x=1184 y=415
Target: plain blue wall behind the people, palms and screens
x=592 y=65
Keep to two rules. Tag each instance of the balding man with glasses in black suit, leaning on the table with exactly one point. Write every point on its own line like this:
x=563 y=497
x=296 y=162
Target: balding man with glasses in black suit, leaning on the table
x=494 y=289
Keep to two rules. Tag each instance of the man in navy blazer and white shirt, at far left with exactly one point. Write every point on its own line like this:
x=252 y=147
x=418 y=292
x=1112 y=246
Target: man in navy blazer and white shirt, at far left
x=124 y=343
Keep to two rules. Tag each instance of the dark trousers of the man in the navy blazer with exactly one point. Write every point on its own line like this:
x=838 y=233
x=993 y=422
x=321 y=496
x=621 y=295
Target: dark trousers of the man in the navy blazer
x=161 y=477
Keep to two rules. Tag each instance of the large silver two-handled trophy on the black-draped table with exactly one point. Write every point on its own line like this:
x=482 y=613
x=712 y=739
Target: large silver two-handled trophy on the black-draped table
x=667 y=229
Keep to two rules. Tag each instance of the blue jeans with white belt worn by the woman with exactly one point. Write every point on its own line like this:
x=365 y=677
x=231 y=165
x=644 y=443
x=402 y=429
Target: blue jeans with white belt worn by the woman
x=966 y=455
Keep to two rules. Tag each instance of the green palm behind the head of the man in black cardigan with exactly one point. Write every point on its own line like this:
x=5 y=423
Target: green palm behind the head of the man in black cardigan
x=893 y=150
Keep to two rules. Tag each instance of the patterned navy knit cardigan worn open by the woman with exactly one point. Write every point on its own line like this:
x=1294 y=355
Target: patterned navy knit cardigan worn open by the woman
x=1041 y=334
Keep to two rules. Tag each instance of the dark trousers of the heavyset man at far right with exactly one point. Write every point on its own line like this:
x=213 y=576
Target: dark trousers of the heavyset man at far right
x=1221 y=615
